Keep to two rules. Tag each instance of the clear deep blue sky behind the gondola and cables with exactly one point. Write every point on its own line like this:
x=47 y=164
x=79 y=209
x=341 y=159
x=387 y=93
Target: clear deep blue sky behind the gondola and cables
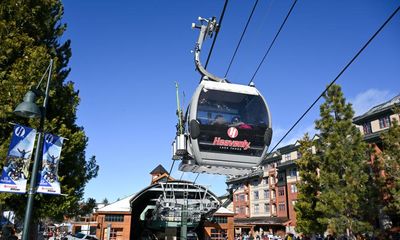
x=127 y=56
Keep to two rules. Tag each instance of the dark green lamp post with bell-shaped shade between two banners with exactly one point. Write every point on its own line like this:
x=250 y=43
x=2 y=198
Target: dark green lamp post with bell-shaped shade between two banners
x=29 y=109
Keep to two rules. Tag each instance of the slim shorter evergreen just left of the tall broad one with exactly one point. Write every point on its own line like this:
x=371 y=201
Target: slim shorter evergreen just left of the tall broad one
x=309 y=188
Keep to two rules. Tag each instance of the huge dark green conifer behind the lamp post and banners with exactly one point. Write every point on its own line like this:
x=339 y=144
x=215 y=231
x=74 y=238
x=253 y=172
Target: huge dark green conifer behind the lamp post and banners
x=30 y=32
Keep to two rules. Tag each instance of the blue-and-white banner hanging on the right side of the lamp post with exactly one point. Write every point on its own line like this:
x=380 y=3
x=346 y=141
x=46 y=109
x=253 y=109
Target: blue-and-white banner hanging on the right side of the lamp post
x=48 y=182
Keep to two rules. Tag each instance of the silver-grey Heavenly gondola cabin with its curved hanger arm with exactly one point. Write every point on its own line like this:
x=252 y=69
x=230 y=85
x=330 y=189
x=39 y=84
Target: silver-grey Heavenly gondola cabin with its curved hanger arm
x=227 y=127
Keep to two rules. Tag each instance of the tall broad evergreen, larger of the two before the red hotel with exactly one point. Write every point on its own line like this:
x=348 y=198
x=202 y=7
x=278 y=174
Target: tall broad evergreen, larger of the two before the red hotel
x=342 y=167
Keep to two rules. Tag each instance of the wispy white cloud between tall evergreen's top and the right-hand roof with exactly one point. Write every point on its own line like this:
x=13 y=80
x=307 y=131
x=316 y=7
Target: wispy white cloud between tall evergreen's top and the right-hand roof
x=366 y=100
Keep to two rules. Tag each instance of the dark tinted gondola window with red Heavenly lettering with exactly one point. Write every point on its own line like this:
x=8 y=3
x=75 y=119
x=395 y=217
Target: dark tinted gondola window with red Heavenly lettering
x=232 y=123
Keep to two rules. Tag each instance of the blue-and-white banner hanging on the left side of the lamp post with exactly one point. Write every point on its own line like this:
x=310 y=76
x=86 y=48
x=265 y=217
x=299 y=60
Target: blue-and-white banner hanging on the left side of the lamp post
x=16 y=169
